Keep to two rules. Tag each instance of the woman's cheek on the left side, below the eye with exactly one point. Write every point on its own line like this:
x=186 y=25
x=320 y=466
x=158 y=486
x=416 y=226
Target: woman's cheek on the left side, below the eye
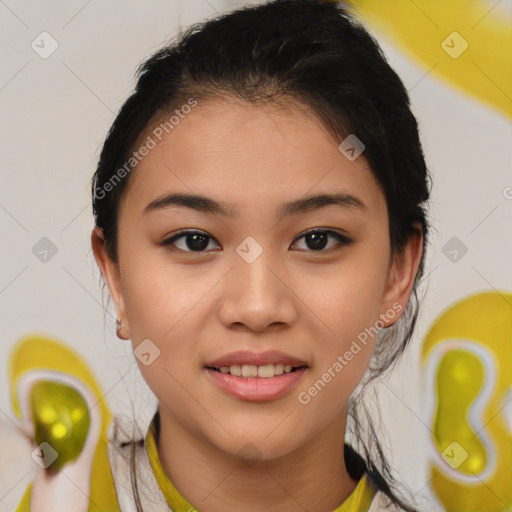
x=162 y=305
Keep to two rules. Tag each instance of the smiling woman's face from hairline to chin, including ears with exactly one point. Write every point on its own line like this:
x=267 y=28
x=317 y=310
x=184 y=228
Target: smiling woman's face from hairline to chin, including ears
x=254 y=280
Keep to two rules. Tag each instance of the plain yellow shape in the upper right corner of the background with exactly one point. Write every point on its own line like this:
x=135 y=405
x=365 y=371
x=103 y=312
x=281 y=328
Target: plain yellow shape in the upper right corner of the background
x=464 y=42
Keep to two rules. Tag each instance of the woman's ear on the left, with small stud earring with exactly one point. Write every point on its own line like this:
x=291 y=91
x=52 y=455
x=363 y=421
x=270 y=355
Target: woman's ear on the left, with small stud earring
x=110 y=271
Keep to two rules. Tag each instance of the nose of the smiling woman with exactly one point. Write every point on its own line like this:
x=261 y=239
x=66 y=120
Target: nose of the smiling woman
x=257 y=296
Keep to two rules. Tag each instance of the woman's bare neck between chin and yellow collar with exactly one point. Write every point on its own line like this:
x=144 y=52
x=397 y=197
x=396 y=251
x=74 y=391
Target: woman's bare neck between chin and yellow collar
x=312 y=477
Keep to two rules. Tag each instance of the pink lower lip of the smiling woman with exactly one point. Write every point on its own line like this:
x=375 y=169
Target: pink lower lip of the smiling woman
x=256 y=389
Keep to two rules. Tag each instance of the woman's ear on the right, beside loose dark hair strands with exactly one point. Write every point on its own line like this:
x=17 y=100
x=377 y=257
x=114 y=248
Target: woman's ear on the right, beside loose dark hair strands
x=401 y=276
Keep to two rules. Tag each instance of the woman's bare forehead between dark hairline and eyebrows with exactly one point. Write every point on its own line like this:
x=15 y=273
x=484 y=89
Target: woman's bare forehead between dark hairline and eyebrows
x=248 y=156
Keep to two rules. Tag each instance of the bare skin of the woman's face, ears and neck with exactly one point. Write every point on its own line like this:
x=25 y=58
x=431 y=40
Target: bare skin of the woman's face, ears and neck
x=198 y=306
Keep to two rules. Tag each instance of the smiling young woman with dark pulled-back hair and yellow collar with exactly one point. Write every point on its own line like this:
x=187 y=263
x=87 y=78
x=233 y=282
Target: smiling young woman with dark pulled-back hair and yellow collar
x=261 y=226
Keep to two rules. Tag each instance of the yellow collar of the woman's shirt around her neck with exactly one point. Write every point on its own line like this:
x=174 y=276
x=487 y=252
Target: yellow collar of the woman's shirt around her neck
x=358 y=501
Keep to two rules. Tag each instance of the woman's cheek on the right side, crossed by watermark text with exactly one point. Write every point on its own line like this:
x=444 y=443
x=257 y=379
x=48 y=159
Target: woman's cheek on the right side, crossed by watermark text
x=346 y=307
